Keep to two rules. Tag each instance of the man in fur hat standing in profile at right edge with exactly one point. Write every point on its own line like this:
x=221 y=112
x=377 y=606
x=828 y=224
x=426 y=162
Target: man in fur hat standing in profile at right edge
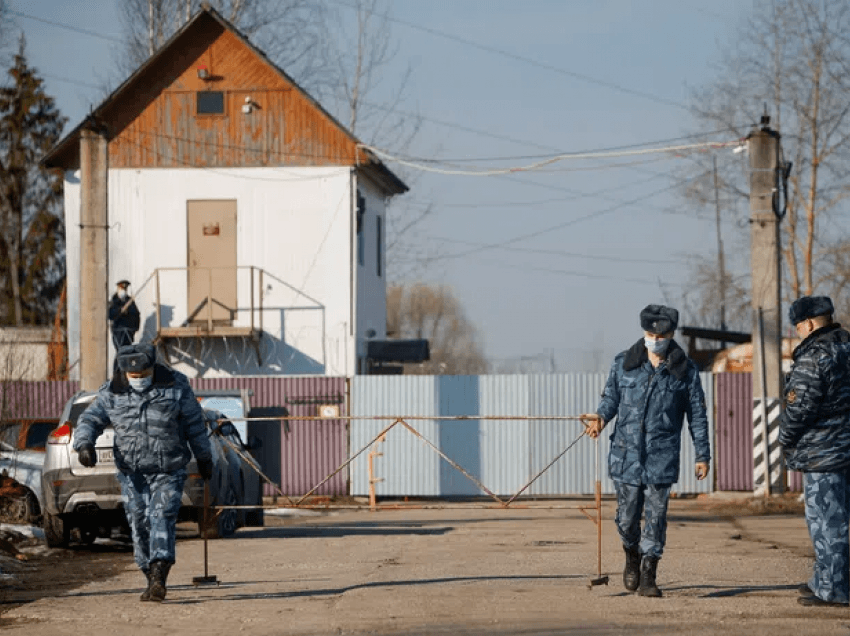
x=815 y=434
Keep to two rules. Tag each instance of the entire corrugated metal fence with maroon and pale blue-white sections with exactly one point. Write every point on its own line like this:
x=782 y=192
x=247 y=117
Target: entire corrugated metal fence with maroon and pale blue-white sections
x=503 y=454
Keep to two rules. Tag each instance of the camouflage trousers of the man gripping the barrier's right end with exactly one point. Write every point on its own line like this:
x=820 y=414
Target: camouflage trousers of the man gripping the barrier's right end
x=649 y=501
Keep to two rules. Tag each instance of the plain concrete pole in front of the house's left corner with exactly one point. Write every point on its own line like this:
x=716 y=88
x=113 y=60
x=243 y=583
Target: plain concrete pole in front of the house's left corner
x=94 y=163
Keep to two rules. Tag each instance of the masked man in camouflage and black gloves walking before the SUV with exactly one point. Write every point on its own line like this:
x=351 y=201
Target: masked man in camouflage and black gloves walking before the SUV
x=157 y=419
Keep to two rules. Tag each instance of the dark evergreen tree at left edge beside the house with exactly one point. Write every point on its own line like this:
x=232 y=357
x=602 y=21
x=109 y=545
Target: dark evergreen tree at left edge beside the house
x=32 y=237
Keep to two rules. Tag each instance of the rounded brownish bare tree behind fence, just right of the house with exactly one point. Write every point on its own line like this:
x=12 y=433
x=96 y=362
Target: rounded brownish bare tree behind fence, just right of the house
x=434 y=312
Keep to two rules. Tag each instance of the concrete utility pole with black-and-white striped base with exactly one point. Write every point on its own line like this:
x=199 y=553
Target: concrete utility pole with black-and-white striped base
x=763 y=146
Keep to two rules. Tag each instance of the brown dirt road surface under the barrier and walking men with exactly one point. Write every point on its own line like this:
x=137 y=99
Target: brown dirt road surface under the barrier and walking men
x=731 y=566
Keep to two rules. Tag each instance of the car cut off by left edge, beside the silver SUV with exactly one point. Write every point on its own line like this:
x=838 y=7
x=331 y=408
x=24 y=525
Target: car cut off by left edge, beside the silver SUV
x=22 y=445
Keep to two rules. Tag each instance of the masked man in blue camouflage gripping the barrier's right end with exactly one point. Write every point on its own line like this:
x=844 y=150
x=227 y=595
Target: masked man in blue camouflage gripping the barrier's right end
x=652 y=386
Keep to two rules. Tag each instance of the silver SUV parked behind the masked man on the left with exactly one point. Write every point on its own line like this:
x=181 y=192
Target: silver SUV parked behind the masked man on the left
x=83 y=503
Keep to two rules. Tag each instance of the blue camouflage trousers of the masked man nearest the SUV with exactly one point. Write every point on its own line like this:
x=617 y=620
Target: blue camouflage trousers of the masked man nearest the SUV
x=152 y=502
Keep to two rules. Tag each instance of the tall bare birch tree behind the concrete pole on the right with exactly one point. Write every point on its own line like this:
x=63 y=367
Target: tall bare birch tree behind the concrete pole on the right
x=792 y=58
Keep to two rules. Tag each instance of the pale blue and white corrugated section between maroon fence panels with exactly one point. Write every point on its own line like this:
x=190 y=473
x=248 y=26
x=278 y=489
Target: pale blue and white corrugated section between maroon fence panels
x=503 y=455
